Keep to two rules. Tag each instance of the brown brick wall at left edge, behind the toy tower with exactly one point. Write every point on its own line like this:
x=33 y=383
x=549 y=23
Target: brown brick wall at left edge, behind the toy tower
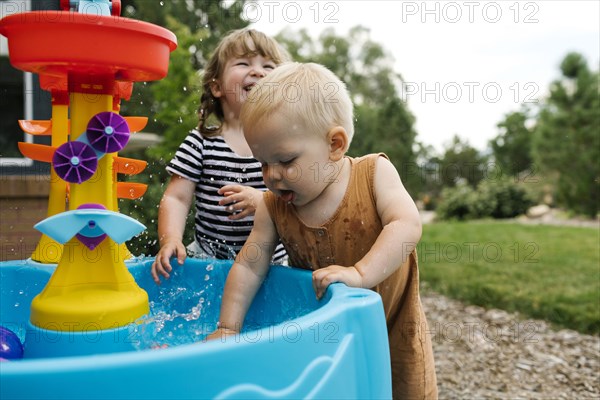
x=23 y=203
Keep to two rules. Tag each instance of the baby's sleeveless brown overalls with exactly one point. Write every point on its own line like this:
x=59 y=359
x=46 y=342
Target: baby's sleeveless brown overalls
x=344 y=240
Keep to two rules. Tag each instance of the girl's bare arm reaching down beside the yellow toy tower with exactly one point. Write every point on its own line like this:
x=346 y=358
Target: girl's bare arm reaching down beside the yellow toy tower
x=172 y=214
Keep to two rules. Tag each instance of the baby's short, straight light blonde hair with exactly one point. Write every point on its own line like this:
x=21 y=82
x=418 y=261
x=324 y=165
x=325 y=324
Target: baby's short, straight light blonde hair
x=308 y=92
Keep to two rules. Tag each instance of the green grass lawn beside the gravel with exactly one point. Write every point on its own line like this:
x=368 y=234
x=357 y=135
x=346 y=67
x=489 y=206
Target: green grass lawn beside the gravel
x=543 y=272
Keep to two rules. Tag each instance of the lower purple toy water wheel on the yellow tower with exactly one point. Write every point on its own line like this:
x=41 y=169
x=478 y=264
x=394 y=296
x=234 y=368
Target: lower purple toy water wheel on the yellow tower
x=75 y=162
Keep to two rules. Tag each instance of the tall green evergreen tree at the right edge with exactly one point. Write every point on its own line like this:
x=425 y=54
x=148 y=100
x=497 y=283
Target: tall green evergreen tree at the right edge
x=566 y=142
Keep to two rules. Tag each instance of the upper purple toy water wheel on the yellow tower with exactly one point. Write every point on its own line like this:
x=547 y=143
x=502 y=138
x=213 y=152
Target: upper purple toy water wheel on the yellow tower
x=107 y=132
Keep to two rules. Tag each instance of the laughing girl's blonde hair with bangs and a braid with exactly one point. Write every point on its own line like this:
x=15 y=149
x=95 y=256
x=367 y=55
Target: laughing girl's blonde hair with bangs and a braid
x=238 y=43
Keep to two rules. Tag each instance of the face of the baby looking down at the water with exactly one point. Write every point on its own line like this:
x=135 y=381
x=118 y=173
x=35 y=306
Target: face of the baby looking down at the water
x=296 y=162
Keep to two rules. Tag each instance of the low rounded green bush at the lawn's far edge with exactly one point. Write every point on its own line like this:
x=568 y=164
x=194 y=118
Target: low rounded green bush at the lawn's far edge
x=502 y=198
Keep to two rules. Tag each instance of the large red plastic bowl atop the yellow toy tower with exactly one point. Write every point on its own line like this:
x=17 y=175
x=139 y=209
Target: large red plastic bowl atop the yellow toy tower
x=59 y=43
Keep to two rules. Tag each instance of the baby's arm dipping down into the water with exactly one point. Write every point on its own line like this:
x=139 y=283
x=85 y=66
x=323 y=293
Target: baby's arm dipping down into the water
x=248 y=272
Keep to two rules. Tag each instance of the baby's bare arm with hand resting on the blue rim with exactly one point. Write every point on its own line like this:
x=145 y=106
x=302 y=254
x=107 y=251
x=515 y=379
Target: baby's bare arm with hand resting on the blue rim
x=399 y=237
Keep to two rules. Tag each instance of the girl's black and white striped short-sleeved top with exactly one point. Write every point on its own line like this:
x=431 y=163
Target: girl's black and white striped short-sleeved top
x=211 y=164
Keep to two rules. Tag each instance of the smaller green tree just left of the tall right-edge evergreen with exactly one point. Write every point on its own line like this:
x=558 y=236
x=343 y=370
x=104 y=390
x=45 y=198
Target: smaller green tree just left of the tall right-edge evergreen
x=512 y=146
